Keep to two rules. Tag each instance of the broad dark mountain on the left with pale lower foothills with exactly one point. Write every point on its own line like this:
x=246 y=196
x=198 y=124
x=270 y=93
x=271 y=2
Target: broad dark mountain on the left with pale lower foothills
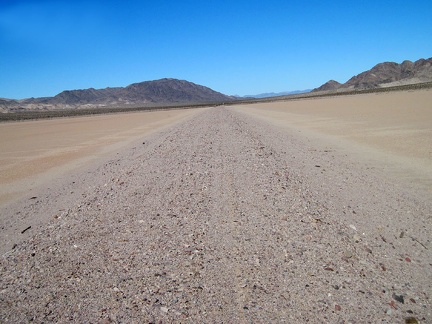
x=163 y=91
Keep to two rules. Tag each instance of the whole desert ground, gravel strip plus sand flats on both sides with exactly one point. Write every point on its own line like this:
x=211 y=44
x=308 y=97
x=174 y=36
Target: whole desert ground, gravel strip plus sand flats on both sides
x=314 y=210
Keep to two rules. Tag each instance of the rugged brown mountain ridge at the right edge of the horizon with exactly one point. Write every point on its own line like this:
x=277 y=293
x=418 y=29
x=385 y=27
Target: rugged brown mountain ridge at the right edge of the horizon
x=385 y=74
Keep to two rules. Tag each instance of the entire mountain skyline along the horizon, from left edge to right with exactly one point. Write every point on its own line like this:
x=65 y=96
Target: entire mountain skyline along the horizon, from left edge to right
x=174 y=91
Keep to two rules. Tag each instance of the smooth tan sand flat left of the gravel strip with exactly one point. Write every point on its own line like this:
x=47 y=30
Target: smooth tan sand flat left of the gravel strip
x=32 y=153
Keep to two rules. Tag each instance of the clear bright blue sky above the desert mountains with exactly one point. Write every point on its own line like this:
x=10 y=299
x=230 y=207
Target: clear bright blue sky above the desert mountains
x=235 y=47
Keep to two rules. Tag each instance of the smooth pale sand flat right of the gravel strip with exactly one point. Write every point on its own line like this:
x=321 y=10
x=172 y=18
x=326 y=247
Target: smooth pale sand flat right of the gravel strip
x=391 y=131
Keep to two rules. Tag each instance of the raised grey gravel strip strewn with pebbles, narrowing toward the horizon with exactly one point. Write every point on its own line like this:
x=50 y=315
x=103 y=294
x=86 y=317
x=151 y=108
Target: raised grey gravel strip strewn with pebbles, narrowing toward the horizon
x=222 y=218
